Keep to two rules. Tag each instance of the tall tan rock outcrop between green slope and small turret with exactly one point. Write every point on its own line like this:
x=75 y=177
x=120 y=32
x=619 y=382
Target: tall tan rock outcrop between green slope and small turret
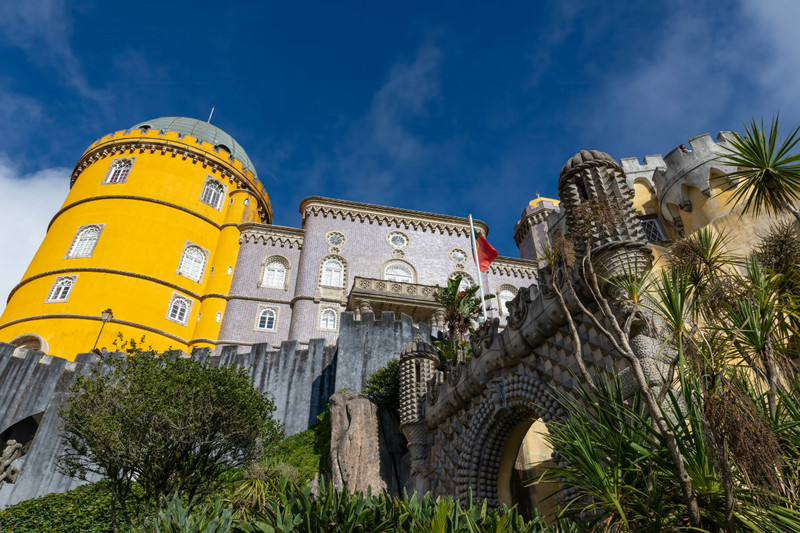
x=367 y=447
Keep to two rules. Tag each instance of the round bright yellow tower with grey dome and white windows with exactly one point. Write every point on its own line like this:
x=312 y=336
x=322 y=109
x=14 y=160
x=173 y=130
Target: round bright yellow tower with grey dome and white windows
x=149 y=229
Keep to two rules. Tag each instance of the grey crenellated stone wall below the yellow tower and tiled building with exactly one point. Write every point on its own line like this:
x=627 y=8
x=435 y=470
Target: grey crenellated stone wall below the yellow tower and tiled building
x=300 y=380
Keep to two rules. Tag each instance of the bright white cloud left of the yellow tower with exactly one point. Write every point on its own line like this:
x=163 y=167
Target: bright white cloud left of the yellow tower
x=27 y=203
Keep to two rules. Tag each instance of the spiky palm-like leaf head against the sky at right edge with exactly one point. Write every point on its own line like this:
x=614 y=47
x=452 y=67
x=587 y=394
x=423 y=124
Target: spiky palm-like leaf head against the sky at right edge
x=769 y=170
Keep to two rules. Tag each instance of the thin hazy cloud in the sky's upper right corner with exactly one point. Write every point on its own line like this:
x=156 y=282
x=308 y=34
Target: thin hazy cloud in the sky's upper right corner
x=712 y=66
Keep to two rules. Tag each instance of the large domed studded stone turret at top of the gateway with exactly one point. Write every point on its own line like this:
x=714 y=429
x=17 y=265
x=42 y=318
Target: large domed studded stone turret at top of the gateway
x=595 y=181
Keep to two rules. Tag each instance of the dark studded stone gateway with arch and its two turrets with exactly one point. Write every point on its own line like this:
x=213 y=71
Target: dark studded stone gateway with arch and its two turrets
x=464 y=428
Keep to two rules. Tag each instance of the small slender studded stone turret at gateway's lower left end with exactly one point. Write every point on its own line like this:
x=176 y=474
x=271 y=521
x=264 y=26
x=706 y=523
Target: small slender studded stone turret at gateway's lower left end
x=418 y=363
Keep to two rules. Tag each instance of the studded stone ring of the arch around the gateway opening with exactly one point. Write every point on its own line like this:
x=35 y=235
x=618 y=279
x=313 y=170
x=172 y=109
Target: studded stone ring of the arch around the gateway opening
x=507 y=409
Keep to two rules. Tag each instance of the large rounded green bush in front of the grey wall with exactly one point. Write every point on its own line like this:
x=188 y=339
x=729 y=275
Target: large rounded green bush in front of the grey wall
x=172 y=423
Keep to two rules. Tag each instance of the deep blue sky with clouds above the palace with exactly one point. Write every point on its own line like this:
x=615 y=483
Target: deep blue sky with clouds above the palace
x=449 y=107
